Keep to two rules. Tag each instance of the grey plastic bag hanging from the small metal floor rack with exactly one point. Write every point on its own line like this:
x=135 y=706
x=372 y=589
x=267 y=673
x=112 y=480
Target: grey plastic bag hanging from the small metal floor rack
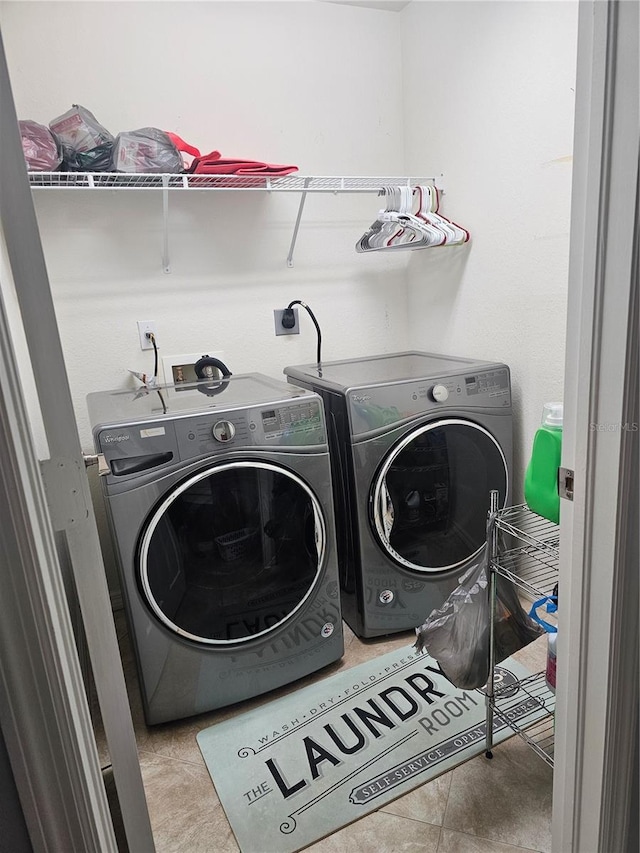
x=457 y=634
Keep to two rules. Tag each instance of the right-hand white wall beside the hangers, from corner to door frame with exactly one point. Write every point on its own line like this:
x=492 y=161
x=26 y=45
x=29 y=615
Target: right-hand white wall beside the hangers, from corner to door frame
x=489 y=97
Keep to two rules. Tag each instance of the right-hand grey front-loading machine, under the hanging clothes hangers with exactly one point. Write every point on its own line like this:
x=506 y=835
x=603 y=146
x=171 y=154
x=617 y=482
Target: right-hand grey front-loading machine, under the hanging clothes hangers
x=418 y=440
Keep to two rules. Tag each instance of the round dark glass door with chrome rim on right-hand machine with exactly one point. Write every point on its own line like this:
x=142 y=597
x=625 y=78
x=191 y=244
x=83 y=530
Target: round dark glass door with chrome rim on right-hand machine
x=431 y=496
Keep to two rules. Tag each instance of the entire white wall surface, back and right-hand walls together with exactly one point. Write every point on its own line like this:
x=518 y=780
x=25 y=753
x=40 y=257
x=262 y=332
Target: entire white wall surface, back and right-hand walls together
x=480 y=91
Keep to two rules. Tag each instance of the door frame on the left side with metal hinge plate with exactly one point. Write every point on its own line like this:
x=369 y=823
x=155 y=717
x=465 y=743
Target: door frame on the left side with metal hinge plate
x=45 y=718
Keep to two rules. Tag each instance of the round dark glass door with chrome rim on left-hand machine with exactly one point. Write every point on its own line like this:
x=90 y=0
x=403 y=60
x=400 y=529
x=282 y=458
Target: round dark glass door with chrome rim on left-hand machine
x=232 y=552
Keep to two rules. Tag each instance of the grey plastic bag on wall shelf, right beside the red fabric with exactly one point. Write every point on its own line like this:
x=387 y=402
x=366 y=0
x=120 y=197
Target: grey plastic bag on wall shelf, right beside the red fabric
x=149 y=150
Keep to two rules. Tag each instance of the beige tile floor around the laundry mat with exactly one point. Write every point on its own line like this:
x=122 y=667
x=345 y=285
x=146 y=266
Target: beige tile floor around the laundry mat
x=498 y=806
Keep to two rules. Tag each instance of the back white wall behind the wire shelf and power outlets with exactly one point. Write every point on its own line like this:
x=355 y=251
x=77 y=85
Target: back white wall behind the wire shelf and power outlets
x=294 y=83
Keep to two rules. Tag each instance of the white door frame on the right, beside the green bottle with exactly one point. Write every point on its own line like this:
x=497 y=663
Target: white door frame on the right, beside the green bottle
x=596 y=744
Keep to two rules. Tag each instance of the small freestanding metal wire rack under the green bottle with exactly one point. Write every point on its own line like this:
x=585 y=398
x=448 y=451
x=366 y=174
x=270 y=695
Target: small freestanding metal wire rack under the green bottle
x=524 y=549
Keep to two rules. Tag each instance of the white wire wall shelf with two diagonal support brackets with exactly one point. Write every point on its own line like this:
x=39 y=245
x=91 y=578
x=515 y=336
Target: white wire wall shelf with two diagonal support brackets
x=167 y=183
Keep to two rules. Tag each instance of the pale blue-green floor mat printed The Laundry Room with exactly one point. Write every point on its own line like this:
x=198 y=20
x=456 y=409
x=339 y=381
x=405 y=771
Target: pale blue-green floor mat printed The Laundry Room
x=301 y=767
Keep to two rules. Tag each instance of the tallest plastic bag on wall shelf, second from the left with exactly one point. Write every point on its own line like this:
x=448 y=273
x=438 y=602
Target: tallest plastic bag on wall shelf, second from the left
x=86 y=145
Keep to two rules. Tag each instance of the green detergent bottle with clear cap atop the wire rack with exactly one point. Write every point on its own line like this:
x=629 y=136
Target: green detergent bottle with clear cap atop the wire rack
x=541 y=478
